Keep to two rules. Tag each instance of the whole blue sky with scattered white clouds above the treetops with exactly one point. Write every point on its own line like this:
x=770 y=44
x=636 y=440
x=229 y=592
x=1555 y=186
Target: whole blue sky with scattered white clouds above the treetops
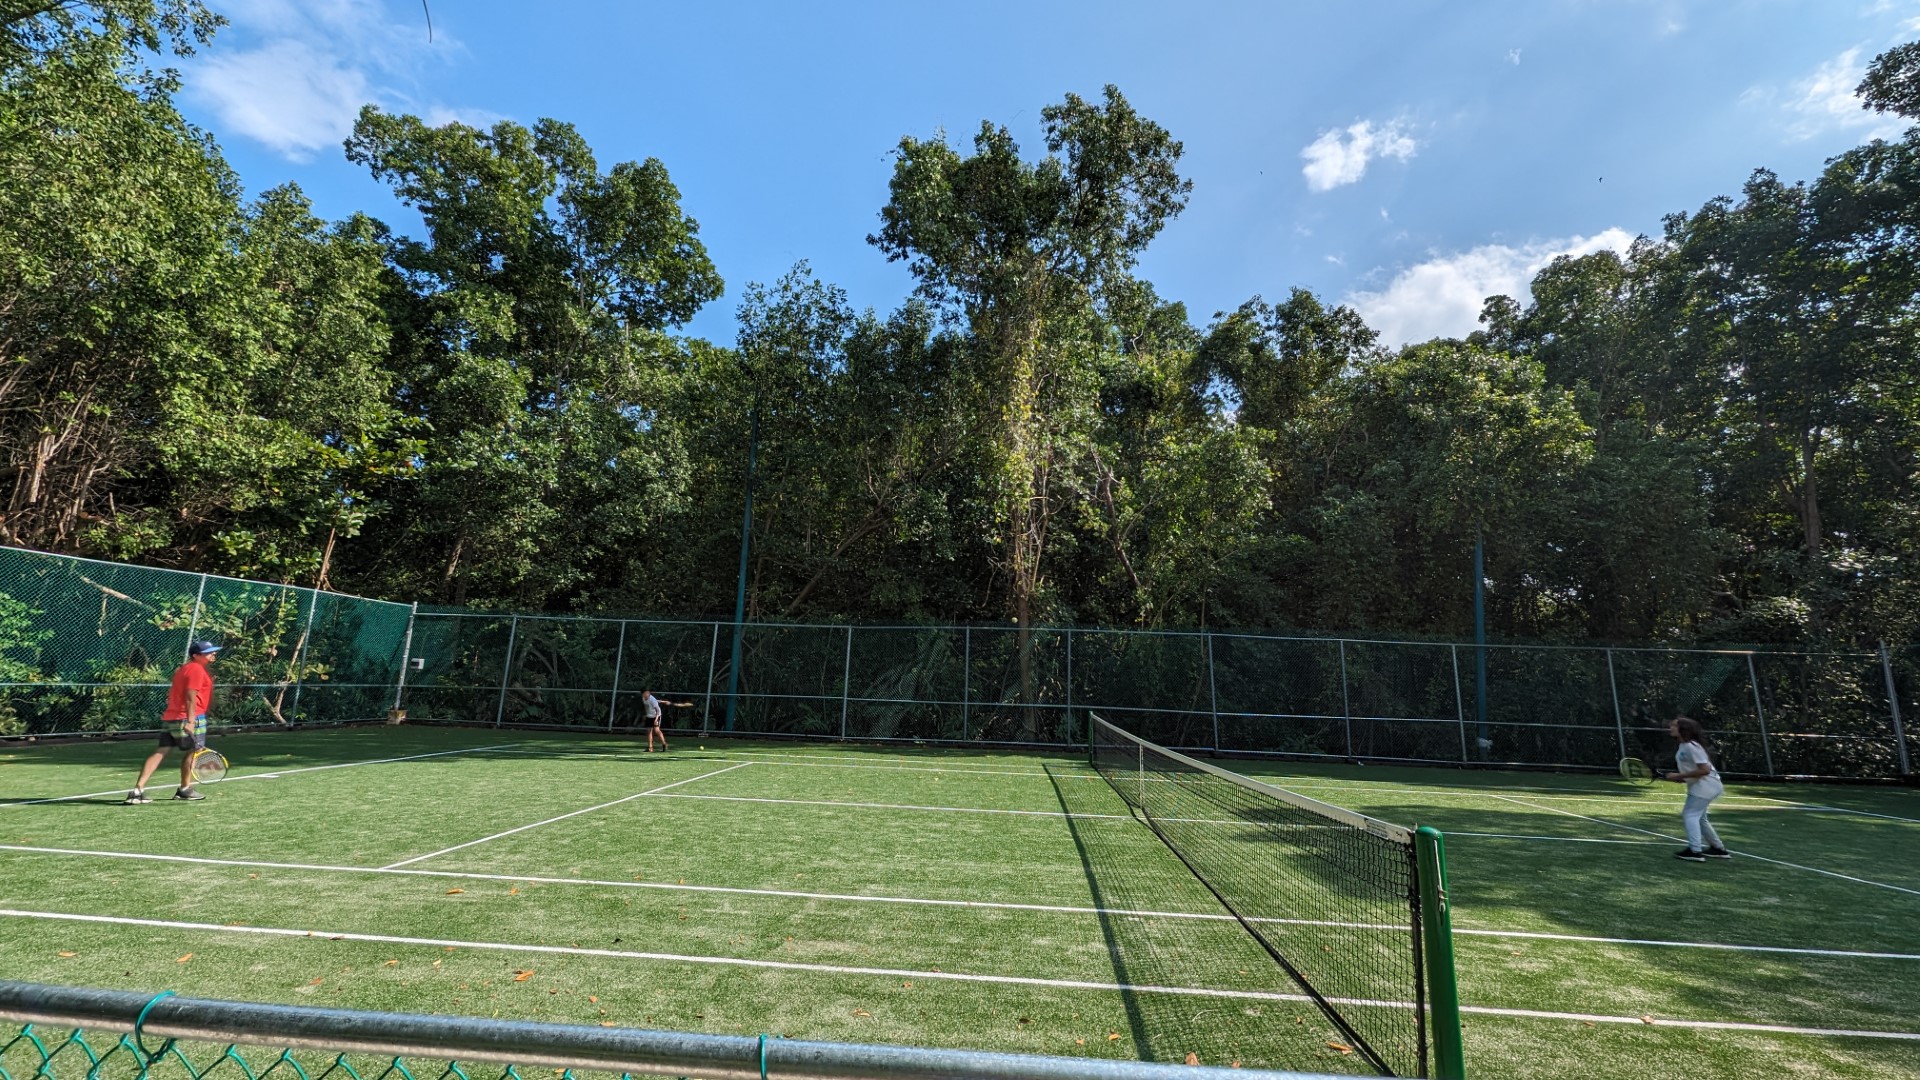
x=1404 y=157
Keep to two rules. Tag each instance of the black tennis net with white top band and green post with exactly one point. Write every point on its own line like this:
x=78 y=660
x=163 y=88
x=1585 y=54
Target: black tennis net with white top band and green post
x=1332 y=895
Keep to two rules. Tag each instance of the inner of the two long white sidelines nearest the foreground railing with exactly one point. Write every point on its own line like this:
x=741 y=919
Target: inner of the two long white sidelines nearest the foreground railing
x=924 y=902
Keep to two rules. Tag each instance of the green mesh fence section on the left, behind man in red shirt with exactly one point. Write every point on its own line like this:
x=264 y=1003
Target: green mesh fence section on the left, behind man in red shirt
x=89 y=647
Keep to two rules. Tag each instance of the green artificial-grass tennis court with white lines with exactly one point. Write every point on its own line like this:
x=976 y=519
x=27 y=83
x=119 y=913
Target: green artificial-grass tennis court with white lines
x=953 y=898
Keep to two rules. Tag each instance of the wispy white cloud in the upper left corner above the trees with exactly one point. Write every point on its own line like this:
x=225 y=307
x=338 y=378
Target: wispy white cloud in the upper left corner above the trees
x=293 y=76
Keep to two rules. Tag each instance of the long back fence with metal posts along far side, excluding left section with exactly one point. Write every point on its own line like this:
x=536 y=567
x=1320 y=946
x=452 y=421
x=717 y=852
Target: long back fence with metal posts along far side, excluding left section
x=1773 y=714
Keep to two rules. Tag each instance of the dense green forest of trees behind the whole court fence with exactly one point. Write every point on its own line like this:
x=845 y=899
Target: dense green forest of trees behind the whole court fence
x=1716 y=437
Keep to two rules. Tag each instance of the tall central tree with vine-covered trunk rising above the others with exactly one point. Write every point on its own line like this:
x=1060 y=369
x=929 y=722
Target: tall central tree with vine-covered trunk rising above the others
x=1022 y=255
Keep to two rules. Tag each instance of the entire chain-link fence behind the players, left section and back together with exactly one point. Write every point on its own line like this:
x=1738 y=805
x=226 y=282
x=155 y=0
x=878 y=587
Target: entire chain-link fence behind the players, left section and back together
x=87 y=647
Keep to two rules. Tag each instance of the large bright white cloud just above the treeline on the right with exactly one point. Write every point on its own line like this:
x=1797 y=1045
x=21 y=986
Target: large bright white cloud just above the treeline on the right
x=1443 y=297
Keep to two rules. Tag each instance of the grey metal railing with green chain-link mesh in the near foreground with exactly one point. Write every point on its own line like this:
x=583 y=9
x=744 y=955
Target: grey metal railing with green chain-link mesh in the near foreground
x=97 y=1035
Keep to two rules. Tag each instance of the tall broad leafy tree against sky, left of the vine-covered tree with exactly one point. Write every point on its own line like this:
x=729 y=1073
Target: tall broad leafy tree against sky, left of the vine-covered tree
x=535 y=355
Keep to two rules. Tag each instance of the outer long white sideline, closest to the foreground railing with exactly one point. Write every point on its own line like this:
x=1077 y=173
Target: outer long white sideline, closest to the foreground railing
x=940 y=975
